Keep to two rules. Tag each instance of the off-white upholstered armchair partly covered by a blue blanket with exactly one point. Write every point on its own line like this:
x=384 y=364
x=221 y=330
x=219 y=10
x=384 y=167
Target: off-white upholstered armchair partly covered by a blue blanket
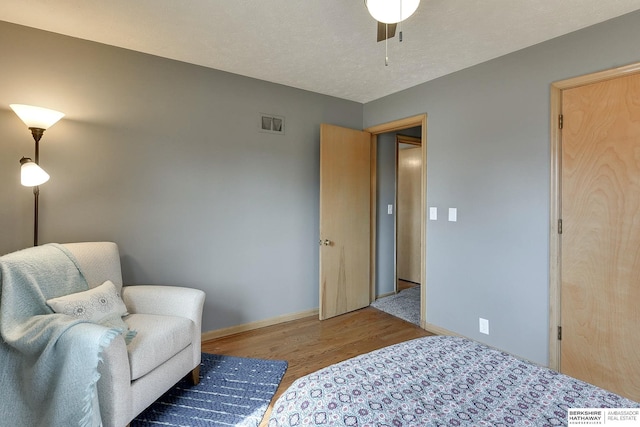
x=167 y=345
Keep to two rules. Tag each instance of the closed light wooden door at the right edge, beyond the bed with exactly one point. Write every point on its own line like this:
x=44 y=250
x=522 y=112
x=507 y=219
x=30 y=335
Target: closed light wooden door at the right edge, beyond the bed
x=600 y=240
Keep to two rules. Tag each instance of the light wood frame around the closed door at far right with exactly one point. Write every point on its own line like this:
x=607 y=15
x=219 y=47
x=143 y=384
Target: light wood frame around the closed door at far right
x=555 y=279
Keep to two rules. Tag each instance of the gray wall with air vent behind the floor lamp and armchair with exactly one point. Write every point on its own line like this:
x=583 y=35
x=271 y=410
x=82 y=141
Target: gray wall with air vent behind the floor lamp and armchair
x=165 y=159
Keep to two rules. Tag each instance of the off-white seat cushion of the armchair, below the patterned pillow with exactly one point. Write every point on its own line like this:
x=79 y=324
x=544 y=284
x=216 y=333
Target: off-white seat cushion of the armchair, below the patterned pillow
x=159 y=338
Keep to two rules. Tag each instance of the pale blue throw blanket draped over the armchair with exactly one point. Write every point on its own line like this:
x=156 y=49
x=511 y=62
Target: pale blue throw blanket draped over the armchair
x=48 y=361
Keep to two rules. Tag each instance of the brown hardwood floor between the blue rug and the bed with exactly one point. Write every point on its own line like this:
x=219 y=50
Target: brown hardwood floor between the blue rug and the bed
x=309 y=344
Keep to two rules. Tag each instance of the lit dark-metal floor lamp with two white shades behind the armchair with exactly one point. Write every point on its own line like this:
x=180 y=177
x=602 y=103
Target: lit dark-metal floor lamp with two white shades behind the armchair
x=38 y=120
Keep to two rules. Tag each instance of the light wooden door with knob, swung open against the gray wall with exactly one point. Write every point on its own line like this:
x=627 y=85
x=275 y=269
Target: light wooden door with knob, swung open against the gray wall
x=345 y=220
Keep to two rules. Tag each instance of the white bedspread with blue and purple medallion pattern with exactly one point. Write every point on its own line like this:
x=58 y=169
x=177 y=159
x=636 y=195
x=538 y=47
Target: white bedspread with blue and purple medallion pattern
x=437 y=381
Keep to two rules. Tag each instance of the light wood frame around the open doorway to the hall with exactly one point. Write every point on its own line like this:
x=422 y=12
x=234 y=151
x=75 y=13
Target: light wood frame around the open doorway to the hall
x=393 y=126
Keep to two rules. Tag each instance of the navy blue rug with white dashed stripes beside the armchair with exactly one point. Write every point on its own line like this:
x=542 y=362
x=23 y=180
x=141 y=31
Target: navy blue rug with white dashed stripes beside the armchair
x=233 y=391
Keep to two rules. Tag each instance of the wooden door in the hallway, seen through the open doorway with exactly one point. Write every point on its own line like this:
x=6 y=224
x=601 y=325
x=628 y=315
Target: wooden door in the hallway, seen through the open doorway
x=409 y=214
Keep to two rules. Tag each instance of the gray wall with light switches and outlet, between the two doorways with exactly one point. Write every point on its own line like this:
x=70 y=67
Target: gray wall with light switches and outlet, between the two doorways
x=488 y=156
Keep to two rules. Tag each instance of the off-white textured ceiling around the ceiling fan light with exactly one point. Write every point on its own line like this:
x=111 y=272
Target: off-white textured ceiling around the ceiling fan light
x=325 y=46
